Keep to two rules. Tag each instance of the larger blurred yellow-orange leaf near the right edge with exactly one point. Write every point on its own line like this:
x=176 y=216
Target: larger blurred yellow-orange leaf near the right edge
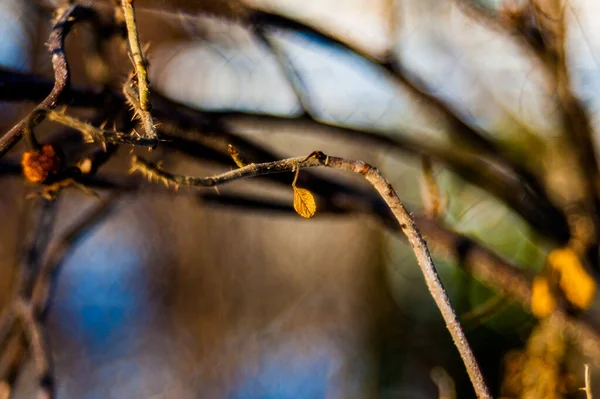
x=575 y=282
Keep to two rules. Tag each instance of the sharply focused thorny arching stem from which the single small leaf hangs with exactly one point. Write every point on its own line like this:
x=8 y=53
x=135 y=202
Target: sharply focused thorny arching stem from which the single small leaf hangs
x=389 y=195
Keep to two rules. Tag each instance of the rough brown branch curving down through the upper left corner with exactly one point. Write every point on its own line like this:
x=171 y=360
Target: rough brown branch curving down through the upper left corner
x=62 y=77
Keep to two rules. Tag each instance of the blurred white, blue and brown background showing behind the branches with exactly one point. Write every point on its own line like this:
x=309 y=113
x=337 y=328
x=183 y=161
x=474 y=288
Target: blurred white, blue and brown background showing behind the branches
x=173 y=297
